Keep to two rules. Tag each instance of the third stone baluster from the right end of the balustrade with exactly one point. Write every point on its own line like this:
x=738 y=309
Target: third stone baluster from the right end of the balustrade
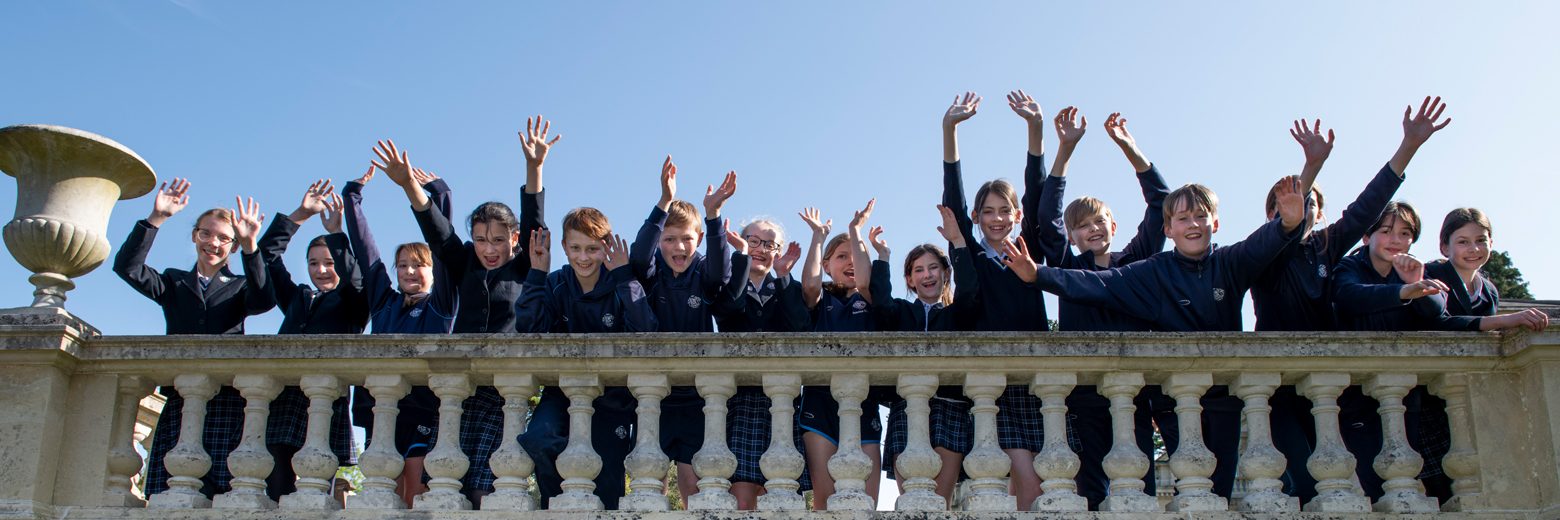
x=1331 y=463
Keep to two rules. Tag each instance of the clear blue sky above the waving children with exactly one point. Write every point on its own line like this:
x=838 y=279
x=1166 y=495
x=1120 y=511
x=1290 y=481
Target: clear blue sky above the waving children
x=812 y=104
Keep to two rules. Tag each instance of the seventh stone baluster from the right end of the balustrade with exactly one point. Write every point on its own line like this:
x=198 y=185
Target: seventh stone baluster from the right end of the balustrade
x=1057 y=465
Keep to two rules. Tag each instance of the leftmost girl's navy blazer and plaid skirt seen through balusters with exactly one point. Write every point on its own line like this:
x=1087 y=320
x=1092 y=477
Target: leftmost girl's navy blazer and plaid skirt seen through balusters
x=196 y=305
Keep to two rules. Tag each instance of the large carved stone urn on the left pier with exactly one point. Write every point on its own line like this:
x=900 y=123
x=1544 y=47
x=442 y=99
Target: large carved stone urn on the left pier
x=68 y=182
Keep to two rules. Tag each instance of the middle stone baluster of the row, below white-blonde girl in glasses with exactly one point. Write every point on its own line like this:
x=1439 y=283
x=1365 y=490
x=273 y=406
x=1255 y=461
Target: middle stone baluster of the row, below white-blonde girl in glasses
x=782 y=465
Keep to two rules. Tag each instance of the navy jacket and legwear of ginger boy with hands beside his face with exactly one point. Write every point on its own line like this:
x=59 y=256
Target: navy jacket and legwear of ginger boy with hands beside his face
x=558 y=304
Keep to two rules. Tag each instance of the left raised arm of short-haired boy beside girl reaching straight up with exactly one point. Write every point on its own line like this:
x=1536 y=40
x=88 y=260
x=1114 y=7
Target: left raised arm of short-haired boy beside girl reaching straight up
x=1046 y=215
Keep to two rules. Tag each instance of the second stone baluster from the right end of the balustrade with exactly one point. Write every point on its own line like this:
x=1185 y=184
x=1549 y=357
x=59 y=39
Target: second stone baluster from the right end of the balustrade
x=1397 y=463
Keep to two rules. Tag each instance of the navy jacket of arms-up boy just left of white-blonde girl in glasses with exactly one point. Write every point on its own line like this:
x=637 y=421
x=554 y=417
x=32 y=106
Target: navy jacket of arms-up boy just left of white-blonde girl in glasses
x=689 y=302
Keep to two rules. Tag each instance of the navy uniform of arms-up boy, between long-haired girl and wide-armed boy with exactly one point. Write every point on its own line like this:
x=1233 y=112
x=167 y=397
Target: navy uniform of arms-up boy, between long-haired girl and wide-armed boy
x=1088 y=411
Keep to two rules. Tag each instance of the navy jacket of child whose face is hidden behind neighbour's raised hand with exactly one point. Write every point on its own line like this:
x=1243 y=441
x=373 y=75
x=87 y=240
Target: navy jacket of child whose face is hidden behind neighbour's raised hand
x=1296 y=293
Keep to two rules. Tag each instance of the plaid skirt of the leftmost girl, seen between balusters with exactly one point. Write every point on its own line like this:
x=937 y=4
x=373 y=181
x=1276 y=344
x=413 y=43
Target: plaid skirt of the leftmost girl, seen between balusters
x=221 y=436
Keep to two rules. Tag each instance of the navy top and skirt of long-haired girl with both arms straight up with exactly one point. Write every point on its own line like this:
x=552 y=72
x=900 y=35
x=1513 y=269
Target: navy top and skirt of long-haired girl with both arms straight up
x=1007 y=304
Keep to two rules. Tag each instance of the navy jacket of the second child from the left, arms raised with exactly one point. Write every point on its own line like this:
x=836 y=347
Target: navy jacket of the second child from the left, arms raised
x=307 y=310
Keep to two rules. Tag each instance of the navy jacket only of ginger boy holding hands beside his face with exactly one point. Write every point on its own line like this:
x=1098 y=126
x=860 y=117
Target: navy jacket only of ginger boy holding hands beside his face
x=555 y=304
